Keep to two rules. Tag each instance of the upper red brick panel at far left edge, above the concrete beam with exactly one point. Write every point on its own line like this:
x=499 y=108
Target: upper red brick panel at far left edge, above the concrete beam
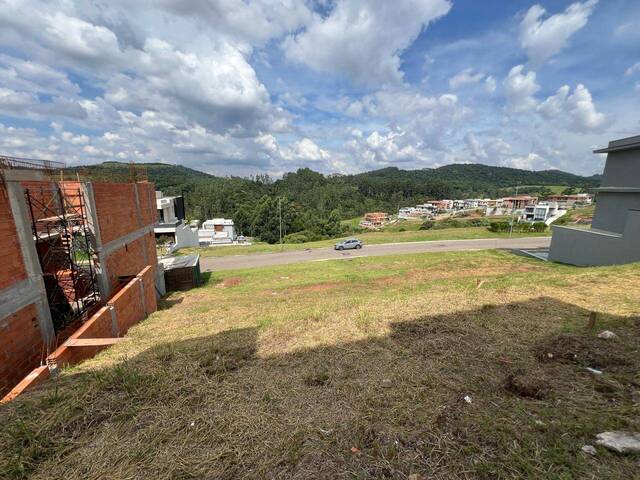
x=12 y=270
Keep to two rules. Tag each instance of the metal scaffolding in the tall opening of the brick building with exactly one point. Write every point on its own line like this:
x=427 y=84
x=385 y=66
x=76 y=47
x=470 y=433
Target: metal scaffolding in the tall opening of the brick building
x=66 y=251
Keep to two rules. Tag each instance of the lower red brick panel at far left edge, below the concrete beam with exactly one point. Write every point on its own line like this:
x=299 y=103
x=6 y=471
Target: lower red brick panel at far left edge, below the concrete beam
x=20 y=346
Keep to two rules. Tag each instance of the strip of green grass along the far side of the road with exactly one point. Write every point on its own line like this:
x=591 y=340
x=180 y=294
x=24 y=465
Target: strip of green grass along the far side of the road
x=391 y=235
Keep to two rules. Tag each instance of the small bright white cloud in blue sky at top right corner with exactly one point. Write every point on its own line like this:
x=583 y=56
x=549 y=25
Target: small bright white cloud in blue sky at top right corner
x=544 y=38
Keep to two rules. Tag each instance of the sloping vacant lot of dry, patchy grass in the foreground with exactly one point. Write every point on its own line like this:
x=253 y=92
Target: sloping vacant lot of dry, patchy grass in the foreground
x=352 y=369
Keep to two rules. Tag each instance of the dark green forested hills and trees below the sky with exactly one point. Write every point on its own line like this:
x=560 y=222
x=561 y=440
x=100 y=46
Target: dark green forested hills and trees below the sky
x=314 y=203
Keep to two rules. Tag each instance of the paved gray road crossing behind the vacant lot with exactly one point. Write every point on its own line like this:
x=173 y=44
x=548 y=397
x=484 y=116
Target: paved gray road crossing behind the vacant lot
x=320 y=254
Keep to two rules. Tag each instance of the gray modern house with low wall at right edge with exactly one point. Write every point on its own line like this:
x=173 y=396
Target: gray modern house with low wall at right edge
x=614 y=236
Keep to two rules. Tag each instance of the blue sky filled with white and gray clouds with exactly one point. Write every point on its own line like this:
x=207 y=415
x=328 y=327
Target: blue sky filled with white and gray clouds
x=234 y=87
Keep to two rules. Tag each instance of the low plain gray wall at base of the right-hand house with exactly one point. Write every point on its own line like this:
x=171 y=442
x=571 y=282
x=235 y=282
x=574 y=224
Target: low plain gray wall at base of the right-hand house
x=590 y=248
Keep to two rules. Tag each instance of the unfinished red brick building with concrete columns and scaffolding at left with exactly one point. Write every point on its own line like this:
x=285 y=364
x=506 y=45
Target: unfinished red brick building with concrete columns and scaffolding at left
x=69 y=251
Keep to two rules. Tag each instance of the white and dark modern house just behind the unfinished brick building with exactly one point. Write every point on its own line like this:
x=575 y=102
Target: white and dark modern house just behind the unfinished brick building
x=171 y=224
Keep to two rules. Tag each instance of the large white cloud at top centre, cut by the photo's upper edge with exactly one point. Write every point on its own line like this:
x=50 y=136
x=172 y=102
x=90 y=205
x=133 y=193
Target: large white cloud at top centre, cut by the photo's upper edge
x=362 y=39
